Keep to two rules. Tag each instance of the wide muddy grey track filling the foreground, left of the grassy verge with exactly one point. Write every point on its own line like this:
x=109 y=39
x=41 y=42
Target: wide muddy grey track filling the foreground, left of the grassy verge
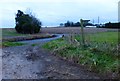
x=28 y=62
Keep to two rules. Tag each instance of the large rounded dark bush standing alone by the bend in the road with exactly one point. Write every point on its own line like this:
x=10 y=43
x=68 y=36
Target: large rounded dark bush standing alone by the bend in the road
x=27 y=24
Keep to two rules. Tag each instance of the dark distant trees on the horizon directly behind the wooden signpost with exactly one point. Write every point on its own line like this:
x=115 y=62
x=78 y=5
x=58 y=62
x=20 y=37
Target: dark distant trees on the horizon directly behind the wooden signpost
x=72 y=24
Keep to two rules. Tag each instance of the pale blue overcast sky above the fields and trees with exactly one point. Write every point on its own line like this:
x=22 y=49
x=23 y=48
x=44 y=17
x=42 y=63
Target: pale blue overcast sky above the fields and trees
x=54 y=12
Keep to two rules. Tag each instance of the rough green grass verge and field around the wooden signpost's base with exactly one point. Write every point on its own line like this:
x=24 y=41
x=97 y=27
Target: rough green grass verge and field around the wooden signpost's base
x=100 y=53
